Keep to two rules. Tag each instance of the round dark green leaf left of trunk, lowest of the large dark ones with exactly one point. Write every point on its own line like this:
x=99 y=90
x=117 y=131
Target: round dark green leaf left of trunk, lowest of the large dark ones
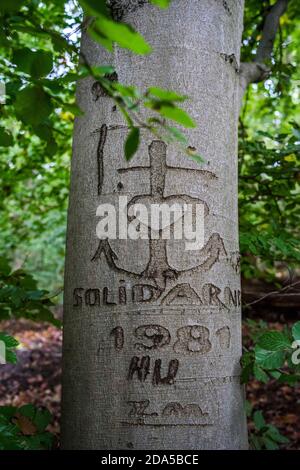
x=33 y=105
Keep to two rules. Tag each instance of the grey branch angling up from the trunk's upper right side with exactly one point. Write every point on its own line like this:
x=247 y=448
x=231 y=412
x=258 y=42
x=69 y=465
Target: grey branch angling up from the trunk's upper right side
x=256 y=71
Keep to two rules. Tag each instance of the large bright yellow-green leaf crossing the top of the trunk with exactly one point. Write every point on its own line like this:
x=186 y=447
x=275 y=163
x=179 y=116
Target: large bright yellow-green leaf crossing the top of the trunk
x=124 y=35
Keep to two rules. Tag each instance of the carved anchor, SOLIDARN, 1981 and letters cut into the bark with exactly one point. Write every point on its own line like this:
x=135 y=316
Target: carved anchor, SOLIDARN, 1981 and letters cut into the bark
x=158 y=282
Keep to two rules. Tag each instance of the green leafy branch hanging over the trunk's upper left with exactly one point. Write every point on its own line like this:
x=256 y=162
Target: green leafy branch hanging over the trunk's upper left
x=36 y=79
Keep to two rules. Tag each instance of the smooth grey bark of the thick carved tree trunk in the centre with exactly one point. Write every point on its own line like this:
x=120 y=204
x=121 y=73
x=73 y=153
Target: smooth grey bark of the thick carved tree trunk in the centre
x=152 y=332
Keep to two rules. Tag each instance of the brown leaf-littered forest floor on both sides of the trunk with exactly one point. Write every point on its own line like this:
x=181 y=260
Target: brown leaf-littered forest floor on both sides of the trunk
x=36 y=378
